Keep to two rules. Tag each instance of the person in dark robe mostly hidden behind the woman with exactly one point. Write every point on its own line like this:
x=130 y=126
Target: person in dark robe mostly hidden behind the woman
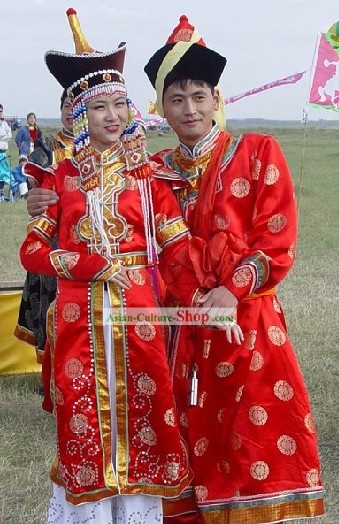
x=39 y=290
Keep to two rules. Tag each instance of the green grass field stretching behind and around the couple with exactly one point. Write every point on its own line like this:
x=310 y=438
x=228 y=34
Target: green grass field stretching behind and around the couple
x=310 y=296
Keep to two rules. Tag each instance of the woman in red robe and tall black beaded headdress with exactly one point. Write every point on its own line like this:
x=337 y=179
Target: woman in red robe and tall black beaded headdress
x=109 y=383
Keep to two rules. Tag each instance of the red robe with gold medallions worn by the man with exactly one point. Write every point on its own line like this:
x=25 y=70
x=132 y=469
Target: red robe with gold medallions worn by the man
x=252 y=441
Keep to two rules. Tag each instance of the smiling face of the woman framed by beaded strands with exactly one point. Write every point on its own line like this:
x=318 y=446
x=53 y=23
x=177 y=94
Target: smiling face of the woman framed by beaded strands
x=107 y=119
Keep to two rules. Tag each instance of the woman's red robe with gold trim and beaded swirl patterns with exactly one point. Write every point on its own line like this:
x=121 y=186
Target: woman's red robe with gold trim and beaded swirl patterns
x=150 y=457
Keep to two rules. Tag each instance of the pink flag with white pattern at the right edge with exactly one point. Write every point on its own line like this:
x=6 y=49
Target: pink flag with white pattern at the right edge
x=324 y=90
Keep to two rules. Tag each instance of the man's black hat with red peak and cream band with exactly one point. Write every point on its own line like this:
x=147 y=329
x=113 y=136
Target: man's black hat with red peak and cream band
x=185 y=56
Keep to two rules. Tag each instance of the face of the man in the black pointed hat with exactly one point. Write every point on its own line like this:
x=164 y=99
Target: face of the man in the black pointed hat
x=190 y=111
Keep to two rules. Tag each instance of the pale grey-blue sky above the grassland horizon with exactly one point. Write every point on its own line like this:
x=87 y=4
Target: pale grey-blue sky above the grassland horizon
x=263 y=40
